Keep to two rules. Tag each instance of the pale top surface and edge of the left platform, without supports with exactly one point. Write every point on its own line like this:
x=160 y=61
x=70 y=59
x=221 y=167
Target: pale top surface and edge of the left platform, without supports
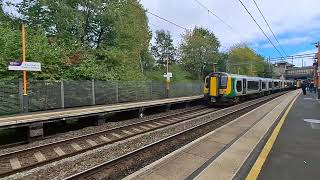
x=21 y=119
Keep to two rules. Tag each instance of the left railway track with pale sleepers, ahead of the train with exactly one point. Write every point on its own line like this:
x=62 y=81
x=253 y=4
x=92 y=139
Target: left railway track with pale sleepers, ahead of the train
x=26 y=159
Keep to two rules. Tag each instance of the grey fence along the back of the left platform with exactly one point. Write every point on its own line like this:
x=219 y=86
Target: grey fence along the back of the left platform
x=51 y=95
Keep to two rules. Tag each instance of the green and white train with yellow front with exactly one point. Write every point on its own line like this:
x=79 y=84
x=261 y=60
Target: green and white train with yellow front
x=224 y=88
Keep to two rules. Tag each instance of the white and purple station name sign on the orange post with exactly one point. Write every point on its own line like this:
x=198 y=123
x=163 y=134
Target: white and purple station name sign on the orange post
x=24 y=66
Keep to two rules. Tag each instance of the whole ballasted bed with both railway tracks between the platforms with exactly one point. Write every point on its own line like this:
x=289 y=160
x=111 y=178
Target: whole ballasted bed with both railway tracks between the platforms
x=195 y=123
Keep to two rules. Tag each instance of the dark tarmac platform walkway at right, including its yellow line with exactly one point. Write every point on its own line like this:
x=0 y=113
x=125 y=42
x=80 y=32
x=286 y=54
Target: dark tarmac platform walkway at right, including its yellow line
x=295 y=153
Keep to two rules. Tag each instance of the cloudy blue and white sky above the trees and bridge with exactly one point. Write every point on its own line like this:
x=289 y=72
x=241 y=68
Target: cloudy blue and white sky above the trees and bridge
x=296 y=23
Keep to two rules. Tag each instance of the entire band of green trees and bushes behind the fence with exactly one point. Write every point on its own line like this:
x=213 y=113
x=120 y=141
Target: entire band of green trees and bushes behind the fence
x=111 y=40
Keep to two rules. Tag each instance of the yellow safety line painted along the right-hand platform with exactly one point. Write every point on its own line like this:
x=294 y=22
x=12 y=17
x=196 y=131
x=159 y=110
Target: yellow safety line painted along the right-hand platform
x=256 y=168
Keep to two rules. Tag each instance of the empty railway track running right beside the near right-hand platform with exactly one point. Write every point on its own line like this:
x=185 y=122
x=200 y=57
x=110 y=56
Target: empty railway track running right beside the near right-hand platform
x=124 y=165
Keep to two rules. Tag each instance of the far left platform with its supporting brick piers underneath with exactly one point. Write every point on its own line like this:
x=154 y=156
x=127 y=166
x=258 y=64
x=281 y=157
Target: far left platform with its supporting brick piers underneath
x=35 y=121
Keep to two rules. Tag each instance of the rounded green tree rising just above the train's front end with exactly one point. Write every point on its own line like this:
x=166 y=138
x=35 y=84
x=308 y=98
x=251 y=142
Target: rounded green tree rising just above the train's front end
x=199 y=52
